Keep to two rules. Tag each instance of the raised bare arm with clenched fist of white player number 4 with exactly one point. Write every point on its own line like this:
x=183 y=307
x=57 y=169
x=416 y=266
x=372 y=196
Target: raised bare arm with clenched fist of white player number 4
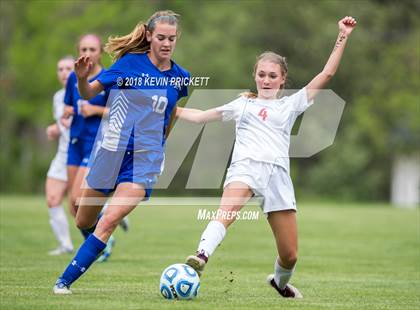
x=345 y=27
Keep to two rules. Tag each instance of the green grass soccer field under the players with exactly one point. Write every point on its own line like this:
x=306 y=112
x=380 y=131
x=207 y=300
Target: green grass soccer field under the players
x=351 y=257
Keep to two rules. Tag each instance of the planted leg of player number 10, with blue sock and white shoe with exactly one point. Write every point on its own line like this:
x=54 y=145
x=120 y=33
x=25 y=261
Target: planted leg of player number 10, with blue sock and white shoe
x=124 y=200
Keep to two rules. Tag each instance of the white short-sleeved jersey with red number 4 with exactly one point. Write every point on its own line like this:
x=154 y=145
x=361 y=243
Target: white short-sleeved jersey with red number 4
x=263 y=127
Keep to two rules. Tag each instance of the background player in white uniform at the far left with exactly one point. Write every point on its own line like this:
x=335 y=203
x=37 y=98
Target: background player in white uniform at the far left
x=56 y=183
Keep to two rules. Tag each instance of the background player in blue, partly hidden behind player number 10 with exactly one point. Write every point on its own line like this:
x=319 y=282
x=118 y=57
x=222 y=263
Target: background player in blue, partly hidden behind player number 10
x=87 y=116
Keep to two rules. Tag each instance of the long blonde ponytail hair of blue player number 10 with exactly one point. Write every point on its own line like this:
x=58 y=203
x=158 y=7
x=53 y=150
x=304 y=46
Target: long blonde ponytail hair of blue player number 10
x=136 y=41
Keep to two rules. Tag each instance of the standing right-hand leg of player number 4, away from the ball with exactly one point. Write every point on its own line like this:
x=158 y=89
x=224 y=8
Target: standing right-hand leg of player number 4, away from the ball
x=284 y=227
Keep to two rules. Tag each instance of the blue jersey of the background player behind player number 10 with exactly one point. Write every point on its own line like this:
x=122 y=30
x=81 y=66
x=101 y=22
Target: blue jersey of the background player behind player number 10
x=83 y=128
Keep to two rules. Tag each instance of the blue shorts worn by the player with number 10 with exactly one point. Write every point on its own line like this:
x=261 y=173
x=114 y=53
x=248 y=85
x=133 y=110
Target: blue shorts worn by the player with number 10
x=110 y=168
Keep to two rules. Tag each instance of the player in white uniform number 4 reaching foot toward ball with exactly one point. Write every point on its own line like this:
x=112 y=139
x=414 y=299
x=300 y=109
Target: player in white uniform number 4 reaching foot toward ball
x=260 y=163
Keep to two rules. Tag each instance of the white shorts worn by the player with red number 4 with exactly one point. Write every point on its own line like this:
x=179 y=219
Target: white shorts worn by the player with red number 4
x=269 y=181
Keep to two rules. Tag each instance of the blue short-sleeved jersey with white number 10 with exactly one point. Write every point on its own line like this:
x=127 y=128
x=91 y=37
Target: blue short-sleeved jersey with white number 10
x=142 y=100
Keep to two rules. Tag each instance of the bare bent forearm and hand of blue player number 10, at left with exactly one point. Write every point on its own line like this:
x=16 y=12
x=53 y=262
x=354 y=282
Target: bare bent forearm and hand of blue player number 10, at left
x=83 y=67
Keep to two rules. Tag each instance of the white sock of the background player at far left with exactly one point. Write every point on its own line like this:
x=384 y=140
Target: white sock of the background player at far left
x=60 y=227
